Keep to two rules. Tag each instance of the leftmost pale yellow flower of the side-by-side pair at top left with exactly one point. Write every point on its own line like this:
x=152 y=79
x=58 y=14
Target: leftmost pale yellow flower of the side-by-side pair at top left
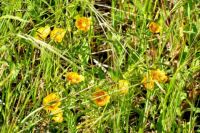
x=42 y=33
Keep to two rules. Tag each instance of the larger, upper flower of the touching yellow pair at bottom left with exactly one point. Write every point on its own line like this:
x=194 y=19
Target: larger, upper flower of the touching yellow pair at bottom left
x=51 y=102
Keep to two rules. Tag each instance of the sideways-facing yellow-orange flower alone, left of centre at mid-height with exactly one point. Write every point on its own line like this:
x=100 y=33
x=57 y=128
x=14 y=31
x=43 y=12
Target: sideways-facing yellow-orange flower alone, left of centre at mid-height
x=74 y=77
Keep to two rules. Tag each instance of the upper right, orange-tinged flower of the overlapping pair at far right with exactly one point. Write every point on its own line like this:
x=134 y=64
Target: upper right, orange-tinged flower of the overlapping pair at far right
x=159 y=75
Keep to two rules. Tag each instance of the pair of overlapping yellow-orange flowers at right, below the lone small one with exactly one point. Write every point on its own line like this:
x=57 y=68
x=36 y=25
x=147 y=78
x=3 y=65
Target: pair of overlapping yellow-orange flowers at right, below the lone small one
x=154 y=75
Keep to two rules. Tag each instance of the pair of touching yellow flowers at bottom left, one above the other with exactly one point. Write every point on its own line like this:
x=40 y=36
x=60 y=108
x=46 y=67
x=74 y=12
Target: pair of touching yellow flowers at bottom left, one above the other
x=51 y=104
